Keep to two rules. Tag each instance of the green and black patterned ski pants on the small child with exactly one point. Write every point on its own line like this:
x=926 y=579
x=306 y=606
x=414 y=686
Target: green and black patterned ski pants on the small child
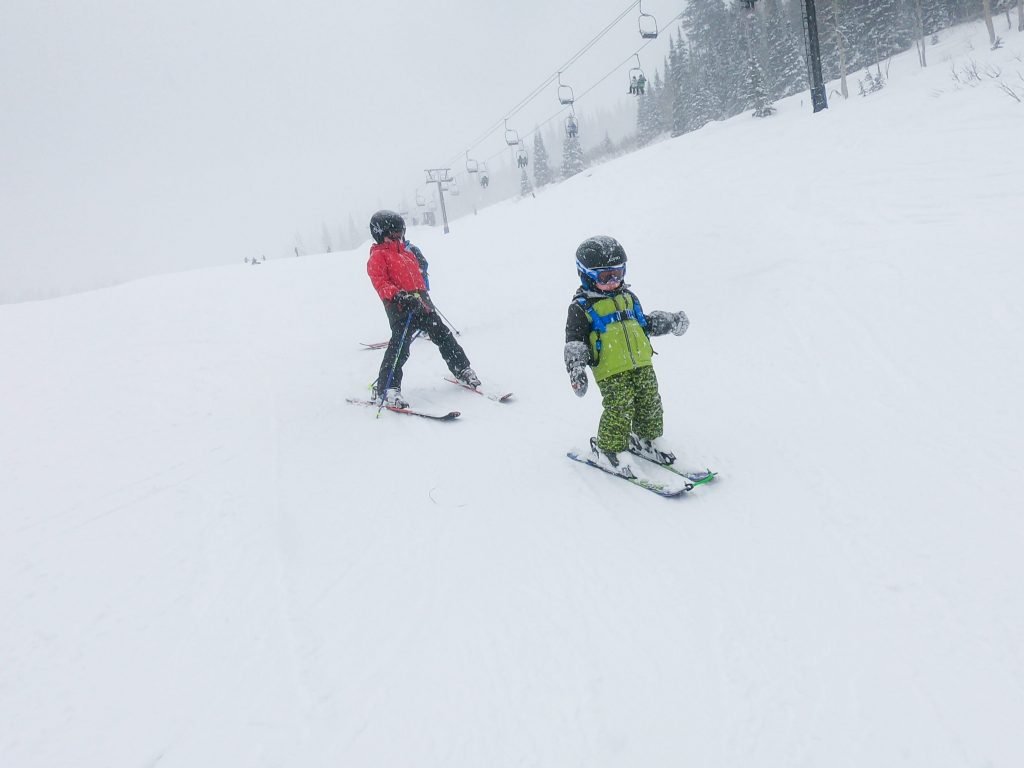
x=632 y=404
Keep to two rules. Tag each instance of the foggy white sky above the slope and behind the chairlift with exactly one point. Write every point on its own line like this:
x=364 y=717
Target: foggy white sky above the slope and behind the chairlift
x=141 y=137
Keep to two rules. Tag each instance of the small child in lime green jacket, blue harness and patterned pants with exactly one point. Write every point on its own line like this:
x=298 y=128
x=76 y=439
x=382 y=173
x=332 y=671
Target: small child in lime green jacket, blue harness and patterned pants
x=609 y=330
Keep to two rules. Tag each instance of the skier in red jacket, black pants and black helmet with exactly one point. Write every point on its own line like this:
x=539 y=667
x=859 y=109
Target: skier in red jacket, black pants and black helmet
x=399 y=277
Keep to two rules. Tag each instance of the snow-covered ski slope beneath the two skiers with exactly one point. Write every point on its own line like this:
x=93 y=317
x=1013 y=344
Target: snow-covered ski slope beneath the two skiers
x=208 y=559
